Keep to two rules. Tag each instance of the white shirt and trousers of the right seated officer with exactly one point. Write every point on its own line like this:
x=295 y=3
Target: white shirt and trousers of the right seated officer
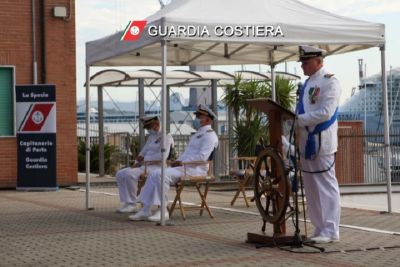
x=200 y=147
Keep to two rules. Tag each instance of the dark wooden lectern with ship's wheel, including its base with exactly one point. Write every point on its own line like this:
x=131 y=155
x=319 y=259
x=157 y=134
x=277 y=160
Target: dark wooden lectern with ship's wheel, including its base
x=271 y=182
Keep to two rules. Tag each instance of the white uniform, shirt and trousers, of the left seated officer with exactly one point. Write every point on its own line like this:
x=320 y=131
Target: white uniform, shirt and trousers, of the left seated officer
x=127 y=178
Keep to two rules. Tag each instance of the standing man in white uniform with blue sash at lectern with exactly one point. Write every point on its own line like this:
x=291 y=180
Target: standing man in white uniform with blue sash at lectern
x=317 y=131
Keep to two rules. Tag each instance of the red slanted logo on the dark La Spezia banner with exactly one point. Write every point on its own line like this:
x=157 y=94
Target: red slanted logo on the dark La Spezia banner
x=37 y=117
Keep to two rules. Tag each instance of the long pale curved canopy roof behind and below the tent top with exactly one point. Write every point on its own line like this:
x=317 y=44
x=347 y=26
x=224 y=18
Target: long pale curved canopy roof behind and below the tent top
x=112 y=77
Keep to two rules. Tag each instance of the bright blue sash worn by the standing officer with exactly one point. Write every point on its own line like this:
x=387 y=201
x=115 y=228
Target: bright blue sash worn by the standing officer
x=310 y=149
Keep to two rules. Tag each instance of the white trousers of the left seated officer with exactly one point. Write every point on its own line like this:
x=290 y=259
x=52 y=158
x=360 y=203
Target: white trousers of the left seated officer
x=127 y=181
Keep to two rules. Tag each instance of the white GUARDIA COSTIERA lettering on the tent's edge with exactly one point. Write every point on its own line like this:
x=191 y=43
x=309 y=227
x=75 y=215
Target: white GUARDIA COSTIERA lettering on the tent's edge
x=218 y=31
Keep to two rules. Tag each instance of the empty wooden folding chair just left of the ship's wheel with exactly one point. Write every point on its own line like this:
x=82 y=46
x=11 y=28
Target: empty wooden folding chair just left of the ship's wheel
x=244 y=176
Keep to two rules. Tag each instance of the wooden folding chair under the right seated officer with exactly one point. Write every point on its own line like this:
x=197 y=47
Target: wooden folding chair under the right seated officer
x=199 y=181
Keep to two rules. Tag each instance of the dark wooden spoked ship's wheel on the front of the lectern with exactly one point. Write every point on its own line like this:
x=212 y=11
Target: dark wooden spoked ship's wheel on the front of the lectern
x=271 y=186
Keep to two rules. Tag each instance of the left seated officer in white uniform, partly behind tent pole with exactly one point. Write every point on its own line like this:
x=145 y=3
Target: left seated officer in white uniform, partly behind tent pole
x=127 y=178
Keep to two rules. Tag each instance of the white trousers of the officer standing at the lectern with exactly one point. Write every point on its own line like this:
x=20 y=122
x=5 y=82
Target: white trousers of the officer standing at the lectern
x=322 y=194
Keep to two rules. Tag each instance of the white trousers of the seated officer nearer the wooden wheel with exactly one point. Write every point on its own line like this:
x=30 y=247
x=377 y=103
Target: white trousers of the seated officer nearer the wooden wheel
x=151 y=191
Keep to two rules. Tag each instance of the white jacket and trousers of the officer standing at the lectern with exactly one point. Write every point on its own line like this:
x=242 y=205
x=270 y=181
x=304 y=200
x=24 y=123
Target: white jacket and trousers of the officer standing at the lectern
x=321 y=98
